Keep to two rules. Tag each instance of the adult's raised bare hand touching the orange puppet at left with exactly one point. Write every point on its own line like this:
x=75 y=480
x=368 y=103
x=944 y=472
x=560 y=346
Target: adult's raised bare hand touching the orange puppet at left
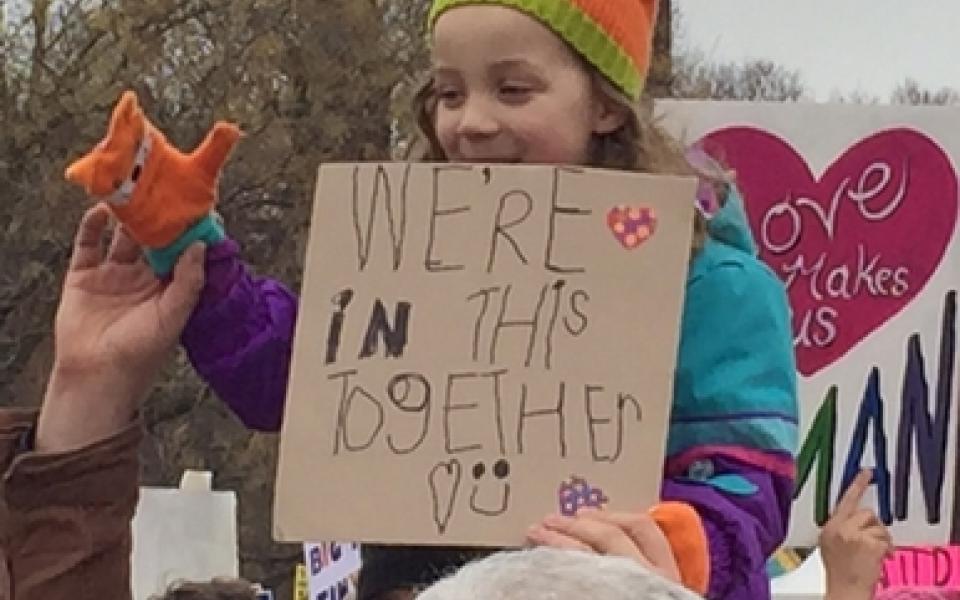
x=115 y=326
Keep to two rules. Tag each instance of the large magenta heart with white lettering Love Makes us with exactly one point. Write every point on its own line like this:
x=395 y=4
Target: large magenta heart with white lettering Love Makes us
x=854 y=246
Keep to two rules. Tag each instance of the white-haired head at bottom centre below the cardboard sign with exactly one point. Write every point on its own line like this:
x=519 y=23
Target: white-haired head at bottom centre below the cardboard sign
x=548 y=573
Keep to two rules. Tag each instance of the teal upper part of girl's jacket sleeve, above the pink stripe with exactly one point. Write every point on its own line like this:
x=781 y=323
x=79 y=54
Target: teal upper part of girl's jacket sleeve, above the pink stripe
x=736 y=381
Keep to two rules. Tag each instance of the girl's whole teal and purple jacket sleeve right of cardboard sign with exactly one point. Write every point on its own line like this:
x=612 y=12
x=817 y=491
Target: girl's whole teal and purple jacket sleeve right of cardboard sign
x=733 y=431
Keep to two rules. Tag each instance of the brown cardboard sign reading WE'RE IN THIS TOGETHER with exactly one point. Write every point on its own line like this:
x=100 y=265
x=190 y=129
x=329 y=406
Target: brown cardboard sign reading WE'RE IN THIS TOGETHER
x=479 y=347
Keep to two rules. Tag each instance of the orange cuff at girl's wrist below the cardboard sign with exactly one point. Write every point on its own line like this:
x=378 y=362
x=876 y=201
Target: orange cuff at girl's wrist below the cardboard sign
x=684 y=530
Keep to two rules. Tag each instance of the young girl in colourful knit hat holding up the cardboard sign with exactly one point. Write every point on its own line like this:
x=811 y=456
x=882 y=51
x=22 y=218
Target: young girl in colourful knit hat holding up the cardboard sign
x=559 y=82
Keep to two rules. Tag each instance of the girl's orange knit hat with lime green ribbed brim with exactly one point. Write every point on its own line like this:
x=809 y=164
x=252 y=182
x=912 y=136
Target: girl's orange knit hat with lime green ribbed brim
x=615 y=36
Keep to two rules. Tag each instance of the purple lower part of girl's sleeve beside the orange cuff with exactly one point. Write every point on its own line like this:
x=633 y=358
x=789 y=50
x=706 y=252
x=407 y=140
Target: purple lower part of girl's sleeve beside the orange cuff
x=743 y=529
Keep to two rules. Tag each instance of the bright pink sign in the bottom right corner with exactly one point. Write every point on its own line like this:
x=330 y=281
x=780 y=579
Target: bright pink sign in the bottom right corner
x=931 y=567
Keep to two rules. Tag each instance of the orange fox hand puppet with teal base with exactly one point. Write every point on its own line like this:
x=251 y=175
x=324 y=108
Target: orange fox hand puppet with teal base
x=163 y=197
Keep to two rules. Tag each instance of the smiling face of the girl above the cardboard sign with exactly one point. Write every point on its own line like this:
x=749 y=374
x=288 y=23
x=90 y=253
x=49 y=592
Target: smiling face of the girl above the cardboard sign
x=509 y=90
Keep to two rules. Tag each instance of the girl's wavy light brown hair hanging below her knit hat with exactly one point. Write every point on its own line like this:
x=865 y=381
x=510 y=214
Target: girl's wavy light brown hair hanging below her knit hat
x=640 y=145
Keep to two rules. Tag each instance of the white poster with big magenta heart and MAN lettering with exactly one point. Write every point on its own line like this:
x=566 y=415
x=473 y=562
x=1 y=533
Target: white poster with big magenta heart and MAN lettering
x=855 y=208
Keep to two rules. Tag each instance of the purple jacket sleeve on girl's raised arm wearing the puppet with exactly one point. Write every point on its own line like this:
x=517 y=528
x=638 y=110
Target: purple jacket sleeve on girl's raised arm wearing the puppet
x=240 y=338
